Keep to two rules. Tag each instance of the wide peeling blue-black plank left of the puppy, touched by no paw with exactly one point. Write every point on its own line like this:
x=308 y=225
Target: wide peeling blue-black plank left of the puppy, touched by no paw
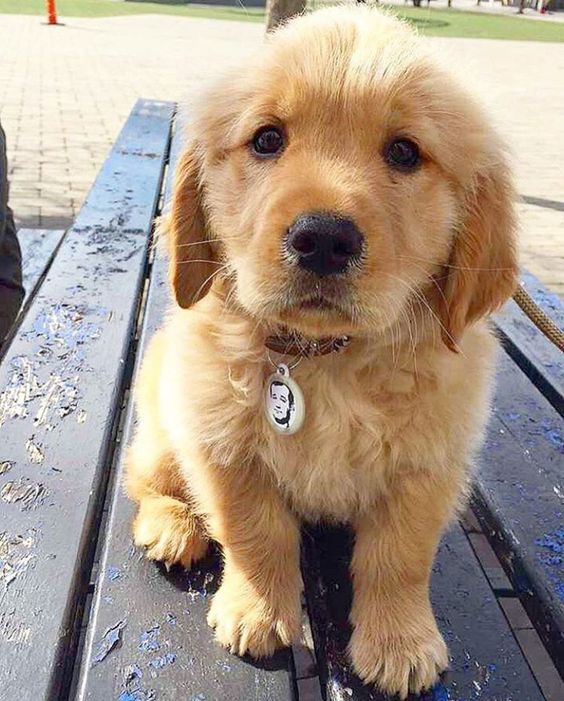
x=60 y=391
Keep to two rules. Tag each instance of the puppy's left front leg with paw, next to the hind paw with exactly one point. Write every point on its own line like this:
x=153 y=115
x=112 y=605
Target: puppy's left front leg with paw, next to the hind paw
x=257 y=607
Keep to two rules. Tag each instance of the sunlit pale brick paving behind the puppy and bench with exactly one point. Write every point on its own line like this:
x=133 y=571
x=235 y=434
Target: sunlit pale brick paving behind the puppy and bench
x=65 y=91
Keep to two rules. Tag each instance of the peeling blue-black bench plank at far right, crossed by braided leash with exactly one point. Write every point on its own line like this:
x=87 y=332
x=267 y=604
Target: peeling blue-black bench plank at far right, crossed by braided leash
x=538 y=357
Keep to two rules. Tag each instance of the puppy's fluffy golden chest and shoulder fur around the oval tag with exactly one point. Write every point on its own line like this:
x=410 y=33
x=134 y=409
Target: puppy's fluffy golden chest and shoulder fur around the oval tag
x=366 y=418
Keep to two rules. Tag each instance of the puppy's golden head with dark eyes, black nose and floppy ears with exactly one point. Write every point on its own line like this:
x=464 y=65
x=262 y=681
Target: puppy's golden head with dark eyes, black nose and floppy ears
x=340 y=179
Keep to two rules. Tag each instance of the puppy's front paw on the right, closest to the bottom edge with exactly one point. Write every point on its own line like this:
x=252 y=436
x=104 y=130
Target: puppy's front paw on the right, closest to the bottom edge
x=408 y=660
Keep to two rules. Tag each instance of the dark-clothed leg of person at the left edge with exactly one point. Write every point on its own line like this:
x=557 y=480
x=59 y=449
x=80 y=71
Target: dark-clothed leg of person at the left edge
x=11 y=289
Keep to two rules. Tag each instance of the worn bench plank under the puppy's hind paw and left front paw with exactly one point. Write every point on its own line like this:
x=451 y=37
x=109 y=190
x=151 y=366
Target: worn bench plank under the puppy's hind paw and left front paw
x=165 y=647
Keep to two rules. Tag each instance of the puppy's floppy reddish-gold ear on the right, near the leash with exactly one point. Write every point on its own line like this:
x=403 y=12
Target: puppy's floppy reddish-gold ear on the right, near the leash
x=482 y=271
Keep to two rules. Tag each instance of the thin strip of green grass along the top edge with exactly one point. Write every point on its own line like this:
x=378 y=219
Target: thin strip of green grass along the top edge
x=447 y=23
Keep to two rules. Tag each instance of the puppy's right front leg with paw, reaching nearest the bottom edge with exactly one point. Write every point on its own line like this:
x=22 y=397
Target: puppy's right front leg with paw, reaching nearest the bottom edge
x=395 y=642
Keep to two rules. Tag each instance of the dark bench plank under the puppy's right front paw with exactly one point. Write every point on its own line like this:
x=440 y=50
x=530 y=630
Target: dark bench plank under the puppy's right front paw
x=486 y=662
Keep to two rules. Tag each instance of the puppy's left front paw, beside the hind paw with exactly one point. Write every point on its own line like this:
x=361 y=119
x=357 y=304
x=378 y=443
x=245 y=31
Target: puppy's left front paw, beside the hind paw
x=245 y=623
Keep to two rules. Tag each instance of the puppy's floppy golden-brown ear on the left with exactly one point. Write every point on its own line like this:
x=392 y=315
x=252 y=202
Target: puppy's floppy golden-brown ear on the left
x=191 y=255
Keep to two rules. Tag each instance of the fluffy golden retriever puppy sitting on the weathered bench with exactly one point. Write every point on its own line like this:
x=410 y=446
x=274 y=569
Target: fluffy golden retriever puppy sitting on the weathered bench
x=342 y=210
